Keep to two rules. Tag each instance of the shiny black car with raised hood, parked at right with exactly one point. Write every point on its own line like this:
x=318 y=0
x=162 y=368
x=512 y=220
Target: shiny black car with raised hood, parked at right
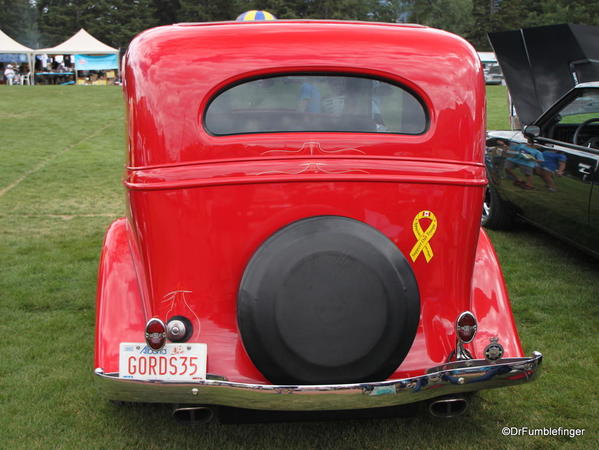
x=548 y=174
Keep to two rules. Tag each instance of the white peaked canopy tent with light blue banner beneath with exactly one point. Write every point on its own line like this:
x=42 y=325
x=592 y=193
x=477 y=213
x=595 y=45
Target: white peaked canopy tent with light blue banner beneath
x=83 y=44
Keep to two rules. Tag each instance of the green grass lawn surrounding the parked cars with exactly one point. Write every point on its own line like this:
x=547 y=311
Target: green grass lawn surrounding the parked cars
x=61 y=160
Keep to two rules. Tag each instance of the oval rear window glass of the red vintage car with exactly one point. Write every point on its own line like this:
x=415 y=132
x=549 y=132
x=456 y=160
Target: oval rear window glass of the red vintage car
x=334 y=103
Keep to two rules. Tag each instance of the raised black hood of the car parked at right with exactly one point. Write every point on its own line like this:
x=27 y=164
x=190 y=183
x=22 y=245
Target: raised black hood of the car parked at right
x=541 y=64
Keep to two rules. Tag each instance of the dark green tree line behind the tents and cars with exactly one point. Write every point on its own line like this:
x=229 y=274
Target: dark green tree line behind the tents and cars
x=117 y=21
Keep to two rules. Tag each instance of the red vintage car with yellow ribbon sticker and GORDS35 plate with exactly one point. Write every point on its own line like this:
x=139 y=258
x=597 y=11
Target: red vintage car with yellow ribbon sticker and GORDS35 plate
x=303 y=227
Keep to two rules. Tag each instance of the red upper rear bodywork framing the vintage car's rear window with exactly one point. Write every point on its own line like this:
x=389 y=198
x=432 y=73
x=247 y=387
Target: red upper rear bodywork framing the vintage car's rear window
x=172 y=72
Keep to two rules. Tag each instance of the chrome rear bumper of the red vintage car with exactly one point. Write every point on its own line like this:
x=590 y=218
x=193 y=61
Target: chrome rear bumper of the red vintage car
x=451 y=378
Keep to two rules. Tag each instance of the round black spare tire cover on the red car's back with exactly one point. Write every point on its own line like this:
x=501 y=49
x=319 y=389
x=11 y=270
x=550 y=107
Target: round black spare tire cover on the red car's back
x=328 y=299
